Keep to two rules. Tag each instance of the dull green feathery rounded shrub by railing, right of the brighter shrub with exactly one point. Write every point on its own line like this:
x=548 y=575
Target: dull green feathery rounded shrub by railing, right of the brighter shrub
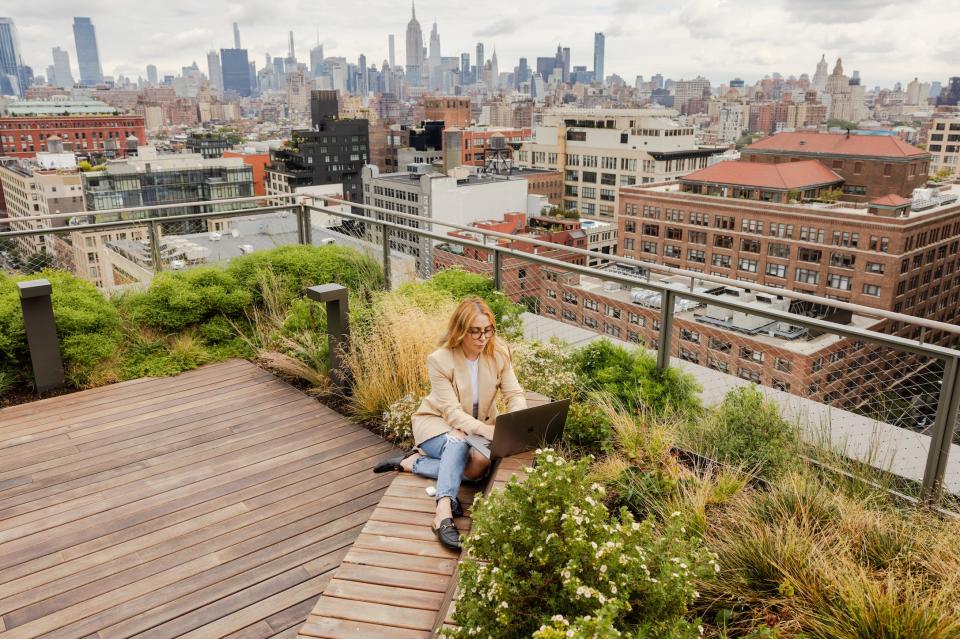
x=747 y=430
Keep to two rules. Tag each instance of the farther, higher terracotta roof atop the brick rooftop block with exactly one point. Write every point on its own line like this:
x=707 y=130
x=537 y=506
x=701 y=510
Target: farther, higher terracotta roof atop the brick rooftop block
x=838 y=144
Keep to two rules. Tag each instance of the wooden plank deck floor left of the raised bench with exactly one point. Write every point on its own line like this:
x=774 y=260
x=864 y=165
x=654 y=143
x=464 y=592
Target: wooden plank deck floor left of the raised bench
x=216 y=503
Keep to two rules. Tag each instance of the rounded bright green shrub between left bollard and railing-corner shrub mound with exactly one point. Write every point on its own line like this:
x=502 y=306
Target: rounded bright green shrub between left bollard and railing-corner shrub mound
x=176 y=301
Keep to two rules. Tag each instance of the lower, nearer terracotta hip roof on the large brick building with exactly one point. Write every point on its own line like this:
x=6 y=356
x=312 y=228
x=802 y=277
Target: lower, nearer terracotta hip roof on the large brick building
x=782 y=176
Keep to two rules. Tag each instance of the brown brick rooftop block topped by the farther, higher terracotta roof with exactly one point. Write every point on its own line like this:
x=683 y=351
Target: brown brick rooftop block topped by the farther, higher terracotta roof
x=871 y=165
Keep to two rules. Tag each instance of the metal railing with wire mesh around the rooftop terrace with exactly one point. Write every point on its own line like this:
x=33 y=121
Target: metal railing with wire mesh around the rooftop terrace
x=941 y=364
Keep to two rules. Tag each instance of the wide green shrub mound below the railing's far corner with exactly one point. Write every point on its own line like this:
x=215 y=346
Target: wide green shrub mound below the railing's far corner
x=298 y=267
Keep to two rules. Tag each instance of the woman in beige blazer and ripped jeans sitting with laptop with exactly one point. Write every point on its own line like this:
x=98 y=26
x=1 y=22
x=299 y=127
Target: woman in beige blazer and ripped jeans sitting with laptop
x=465 y=374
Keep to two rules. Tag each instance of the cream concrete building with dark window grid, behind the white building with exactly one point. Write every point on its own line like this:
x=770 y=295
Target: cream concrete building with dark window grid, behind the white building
x=601 y=150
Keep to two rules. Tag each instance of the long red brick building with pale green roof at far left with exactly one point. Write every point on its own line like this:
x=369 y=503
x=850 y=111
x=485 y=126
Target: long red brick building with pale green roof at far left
x=81 y=126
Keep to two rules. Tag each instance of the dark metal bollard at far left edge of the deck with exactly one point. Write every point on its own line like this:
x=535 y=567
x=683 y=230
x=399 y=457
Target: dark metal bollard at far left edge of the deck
x=41 y=334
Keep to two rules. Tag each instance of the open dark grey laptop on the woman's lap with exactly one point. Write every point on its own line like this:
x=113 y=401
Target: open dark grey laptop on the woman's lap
x=524 y=430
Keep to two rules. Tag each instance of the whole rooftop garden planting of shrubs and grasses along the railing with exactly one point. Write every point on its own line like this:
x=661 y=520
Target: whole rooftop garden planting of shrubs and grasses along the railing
x=656 y=517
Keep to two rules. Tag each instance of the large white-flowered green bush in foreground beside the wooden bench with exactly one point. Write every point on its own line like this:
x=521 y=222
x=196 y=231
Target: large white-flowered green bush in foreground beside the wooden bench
x=546 y=556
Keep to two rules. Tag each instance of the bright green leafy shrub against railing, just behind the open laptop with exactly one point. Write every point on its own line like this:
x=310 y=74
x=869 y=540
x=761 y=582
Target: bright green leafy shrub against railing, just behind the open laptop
x=632 y=378
